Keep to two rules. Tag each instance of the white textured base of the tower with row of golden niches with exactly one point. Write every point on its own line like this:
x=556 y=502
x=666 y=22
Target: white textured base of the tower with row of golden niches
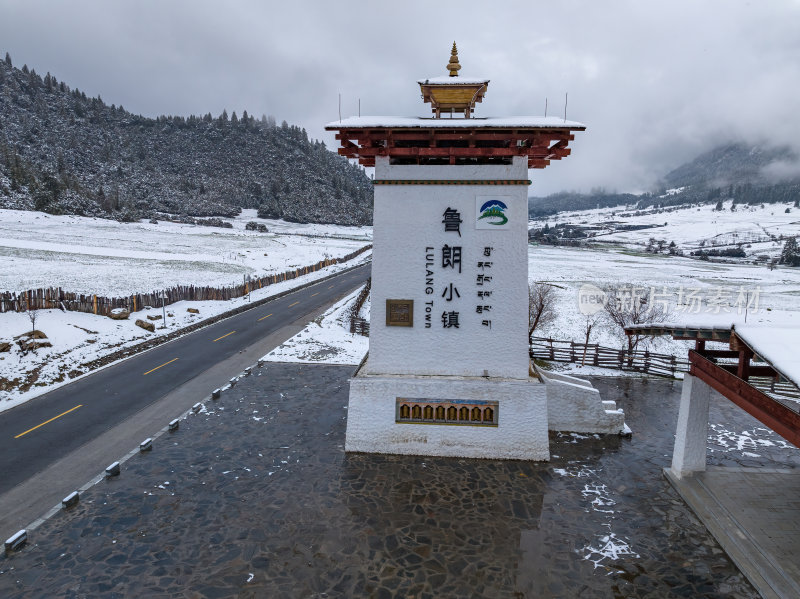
x=471 y=417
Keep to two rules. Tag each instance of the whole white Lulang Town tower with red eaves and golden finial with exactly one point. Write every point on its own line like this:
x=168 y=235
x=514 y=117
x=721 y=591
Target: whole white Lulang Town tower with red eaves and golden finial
x=447 y=372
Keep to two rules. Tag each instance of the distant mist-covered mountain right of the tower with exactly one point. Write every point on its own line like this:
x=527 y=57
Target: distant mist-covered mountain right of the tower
x=740 y=172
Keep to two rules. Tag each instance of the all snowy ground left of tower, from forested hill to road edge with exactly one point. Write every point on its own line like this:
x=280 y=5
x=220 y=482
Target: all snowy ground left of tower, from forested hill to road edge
x=106 y=257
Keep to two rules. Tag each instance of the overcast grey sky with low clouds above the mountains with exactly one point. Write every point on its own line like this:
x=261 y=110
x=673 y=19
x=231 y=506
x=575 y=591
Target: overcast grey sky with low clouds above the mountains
x=656 y=82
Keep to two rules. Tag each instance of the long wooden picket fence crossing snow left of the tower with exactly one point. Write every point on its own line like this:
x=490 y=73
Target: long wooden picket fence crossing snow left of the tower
x=56 y=297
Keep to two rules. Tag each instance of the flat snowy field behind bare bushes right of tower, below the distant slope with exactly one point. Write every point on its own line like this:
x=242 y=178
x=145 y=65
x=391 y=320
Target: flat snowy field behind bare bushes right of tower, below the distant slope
x=696 y=291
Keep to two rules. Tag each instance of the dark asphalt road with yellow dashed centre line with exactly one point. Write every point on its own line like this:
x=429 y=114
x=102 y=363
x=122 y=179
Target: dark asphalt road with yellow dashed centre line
x=39 y=432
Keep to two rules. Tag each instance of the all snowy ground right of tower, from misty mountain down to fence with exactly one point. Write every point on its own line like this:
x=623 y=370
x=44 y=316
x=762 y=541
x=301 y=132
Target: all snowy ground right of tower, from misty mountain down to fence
x=696 y=292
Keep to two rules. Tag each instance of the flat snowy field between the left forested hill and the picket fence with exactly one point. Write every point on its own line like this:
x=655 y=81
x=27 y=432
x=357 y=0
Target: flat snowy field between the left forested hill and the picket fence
x=104 y=257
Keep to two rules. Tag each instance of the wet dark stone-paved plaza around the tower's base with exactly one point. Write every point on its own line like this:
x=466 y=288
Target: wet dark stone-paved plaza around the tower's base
x=255 y=497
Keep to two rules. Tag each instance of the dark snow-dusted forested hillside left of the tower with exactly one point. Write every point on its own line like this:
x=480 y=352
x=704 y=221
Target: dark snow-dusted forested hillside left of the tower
x=63 y=152
